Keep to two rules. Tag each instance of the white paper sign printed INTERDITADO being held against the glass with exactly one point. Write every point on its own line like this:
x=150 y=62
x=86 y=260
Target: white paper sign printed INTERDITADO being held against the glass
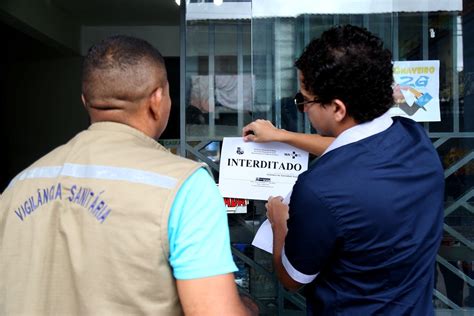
x=257 y=171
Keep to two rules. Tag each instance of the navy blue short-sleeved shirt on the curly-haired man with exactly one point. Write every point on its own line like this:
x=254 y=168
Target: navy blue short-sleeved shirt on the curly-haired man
x=367 y=219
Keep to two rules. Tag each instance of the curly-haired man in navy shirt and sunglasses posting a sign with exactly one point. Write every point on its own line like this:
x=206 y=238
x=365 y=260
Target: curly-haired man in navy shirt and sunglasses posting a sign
x=364 y=223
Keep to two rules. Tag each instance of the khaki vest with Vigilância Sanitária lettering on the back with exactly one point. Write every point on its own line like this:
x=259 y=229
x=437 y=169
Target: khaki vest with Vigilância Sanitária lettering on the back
x=84 y=230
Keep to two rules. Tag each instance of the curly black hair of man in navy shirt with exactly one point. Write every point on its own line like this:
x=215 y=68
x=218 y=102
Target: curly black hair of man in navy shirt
x=350 y=64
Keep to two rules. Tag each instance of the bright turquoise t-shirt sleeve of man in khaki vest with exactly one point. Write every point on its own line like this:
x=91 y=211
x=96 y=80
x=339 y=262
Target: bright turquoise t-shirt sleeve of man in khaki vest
x=198 y=231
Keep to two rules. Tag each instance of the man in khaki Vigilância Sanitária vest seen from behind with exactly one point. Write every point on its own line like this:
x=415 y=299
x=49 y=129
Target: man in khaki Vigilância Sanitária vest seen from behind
x=111 y=223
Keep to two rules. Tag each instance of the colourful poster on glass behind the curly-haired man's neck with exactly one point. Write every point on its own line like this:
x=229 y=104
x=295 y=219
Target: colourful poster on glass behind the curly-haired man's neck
x=416 y=90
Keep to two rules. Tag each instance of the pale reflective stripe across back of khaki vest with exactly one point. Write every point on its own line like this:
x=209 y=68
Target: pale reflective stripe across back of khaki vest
x=98 y=172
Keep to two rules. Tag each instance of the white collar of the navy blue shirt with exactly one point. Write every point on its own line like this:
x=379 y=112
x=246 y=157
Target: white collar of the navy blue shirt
x=361 y=131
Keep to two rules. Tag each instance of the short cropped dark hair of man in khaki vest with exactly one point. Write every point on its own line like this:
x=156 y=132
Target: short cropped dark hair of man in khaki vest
x=118 y=66
